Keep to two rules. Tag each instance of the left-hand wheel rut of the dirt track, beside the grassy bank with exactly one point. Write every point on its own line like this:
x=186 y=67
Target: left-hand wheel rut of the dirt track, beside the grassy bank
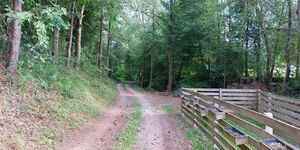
x=100 y=133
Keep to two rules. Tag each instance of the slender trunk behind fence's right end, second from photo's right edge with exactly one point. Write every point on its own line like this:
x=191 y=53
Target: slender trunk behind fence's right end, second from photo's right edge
x=288 y=44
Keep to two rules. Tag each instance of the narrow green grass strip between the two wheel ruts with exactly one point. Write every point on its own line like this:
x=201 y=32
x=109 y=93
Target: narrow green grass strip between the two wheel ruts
x=125 y=140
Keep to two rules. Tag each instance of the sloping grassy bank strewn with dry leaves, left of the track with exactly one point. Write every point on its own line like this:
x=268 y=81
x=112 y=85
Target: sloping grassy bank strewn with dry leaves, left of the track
x=49 y=101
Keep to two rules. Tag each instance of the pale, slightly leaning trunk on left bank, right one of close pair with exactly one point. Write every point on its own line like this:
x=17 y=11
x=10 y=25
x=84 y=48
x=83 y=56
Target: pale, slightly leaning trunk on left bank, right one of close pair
x=79 y=37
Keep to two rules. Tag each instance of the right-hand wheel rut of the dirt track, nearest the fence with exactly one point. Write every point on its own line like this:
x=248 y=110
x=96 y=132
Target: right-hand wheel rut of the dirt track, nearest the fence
x=159 y=130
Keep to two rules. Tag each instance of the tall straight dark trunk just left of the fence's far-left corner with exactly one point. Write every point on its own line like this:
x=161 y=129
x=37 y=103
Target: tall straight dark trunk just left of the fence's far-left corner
x=170 y=48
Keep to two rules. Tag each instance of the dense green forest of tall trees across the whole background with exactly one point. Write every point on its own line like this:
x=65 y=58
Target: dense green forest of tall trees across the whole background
x=161 y=45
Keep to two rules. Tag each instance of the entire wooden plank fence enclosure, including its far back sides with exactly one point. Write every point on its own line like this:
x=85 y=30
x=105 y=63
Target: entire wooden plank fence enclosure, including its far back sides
x=213 y=121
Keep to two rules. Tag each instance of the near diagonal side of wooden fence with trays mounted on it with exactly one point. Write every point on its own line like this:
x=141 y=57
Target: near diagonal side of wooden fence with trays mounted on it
x=232 y=126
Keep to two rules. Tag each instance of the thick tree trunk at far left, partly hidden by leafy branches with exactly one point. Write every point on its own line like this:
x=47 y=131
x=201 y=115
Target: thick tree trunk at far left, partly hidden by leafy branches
x=14 y=33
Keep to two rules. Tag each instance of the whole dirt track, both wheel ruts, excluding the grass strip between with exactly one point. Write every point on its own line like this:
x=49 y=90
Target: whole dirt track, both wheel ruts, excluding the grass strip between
x=159 y=131
